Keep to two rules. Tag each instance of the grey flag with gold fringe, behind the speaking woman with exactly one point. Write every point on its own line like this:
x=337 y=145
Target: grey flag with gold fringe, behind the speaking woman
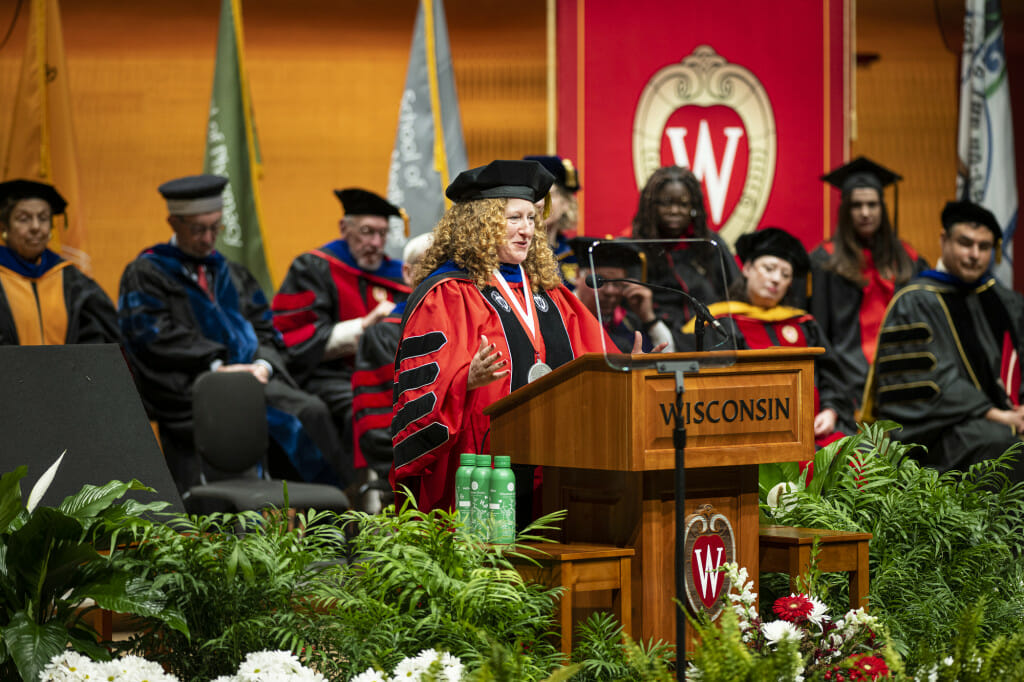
x=430 y=150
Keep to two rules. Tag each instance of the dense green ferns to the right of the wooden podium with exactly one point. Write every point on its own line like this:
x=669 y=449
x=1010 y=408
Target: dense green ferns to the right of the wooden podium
x=942 y=542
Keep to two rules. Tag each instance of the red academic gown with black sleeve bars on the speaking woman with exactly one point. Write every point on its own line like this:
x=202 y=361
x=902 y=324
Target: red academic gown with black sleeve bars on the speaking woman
x=436 y=418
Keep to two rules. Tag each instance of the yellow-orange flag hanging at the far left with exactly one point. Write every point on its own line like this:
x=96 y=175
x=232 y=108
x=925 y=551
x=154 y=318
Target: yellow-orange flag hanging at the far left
x=41 y=144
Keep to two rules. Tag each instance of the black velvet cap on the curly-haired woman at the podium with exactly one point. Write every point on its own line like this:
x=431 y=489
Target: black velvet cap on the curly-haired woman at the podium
x=502 y=180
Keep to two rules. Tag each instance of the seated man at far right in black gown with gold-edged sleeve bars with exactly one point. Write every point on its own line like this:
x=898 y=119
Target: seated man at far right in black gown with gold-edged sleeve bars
x=949 y=363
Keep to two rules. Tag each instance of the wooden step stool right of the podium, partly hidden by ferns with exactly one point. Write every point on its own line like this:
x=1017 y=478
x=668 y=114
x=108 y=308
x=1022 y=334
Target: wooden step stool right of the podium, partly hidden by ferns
x=788 y=550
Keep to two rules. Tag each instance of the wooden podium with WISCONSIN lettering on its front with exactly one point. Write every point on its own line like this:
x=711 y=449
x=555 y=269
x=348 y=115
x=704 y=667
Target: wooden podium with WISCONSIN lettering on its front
x=604 y=437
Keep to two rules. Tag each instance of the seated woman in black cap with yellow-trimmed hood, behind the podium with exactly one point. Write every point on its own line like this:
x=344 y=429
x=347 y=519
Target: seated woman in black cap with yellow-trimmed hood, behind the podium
x=762 y=316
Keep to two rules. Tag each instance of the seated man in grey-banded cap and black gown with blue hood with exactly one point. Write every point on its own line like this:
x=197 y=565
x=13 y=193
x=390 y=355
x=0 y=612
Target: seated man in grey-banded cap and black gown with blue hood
x=185 y=310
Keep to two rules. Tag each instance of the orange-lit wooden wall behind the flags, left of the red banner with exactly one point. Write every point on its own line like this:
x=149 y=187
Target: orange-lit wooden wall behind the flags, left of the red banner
x=326 y=78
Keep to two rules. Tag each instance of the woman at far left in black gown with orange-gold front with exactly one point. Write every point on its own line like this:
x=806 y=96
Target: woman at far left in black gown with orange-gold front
x=45 y=300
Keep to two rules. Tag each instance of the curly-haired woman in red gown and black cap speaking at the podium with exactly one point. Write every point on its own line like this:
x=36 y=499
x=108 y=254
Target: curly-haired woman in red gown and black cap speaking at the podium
x=471 y=336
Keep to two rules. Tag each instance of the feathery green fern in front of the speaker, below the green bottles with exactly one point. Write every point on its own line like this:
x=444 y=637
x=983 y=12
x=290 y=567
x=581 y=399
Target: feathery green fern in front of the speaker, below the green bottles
x=420 y=580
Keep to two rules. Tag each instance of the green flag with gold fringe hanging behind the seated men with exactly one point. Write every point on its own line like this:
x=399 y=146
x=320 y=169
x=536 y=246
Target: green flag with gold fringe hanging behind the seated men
x=233 y=151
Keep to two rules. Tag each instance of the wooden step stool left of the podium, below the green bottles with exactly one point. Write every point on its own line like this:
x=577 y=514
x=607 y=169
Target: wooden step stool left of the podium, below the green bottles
x=581 y=569
